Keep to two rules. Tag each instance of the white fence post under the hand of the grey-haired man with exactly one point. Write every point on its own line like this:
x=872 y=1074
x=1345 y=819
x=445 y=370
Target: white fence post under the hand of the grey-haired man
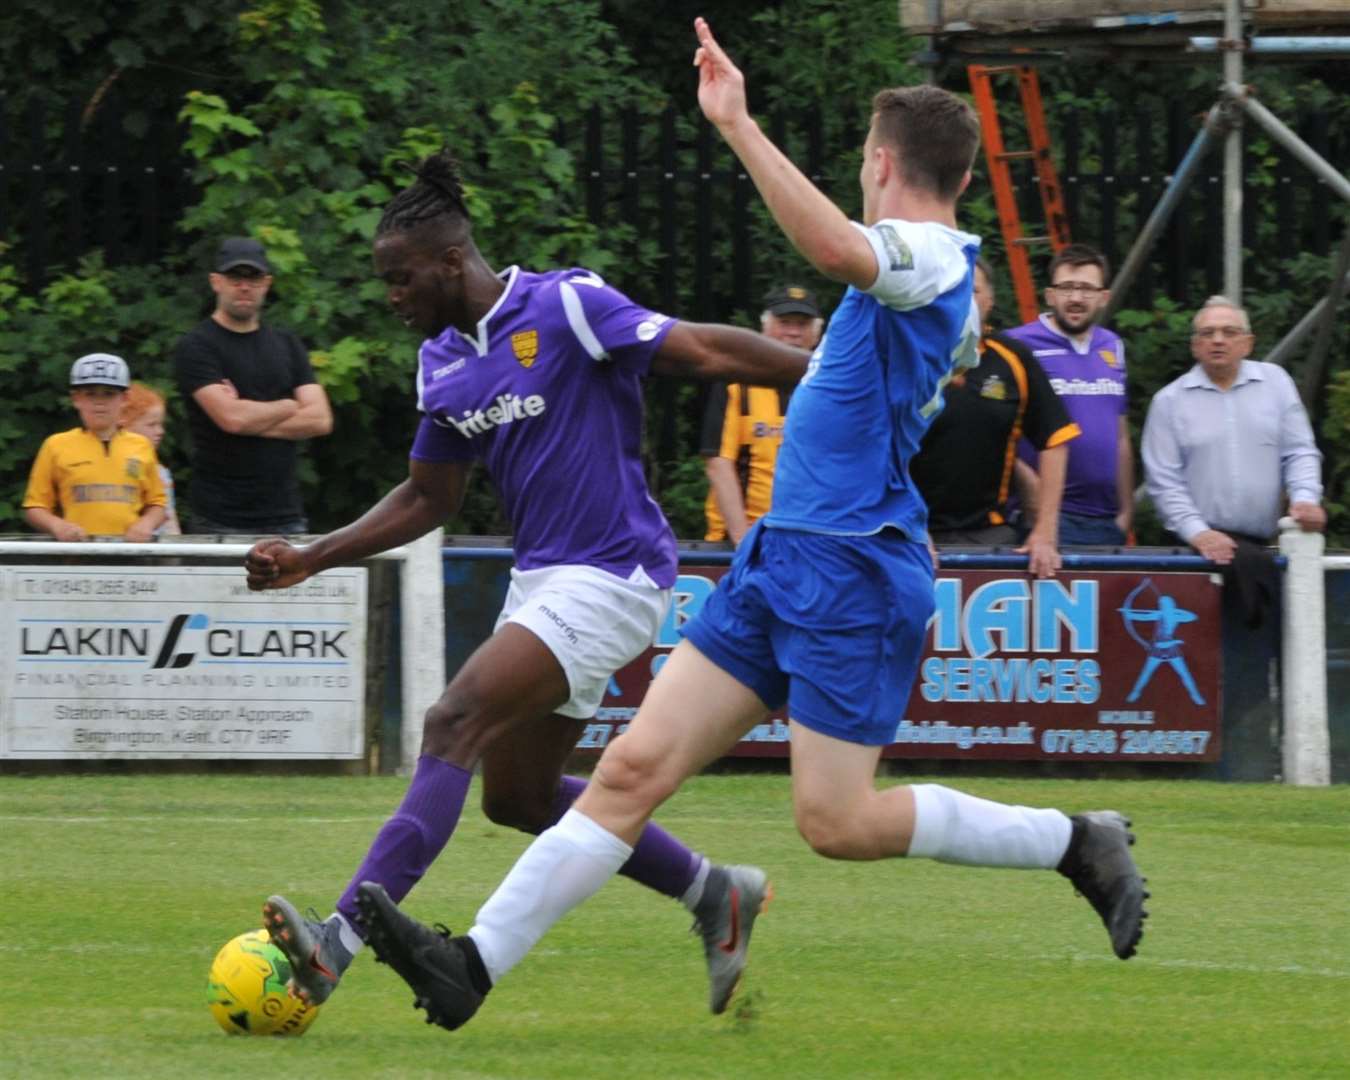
x=1307 y=739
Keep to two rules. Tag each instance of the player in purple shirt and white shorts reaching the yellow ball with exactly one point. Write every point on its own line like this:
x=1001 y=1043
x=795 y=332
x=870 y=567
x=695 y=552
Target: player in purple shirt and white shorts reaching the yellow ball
x=538 y=376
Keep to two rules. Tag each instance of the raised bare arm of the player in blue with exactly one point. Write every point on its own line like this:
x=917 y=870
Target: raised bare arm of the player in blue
x=816 y=226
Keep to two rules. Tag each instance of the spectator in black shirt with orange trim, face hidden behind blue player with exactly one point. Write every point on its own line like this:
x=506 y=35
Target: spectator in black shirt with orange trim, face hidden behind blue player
x=965 y=466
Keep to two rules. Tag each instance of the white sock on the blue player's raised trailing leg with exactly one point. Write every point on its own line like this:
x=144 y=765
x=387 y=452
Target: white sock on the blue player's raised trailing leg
x=952 y=827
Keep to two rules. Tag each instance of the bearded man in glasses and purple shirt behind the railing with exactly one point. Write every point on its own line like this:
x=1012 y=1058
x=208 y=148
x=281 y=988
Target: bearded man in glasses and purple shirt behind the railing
x=1086 y=364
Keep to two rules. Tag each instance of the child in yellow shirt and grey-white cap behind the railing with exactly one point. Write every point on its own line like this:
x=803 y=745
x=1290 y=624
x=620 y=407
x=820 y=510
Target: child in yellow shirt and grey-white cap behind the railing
x=97 y=480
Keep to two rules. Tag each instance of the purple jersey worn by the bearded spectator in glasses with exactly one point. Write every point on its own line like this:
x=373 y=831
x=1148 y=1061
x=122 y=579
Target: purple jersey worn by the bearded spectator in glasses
x=1091 y=384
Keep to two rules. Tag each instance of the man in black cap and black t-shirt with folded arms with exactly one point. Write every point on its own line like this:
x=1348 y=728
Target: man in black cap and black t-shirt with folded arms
x=252 y=395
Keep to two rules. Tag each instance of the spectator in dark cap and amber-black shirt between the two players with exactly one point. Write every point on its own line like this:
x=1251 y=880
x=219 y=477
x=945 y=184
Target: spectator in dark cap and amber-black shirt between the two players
x=743 y=426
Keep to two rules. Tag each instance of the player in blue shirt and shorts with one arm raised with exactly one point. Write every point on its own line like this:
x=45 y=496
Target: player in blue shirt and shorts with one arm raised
x=830 y=595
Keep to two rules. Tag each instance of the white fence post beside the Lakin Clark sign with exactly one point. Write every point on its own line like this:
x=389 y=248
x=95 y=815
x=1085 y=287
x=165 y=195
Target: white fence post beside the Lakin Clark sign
x=423 y=639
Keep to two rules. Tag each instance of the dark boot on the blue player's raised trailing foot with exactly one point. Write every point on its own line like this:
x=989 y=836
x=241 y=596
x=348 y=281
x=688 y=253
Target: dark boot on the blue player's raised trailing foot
x=1102 y=870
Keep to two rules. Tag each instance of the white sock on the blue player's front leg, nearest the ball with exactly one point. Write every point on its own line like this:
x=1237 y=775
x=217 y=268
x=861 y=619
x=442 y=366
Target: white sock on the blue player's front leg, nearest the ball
x=562 y=869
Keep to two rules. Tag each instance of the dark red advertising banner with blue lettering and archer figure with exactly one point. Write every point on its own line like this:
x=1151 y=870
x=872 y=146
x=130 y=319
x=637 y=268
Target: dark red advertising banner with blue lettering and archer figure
x=1089 y=666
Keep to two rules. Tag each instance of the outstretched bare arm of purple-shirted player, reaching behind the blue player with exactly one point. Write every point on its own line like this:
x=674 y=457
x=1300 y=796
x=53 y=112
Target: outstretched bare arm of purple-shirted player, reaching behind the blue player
x=728 y=354
